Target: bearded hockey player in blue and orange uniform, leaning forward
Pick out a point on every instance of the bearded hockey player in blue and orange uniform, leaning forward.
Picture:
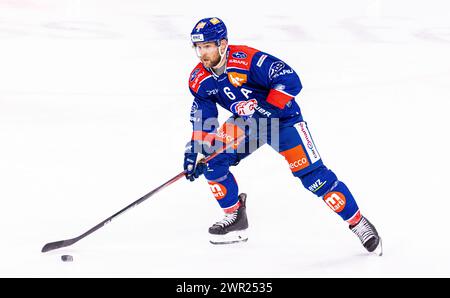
(259, 90)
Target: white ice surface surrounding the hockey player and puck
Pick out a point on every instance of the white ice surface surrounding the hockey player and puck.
(94, 113)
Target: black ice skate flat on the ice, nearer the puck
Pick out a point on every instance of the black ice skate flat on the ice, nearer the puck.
(233, 227)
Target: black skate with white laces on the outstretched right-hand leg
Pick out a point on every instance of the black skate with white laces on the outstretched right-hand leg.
(368, 235)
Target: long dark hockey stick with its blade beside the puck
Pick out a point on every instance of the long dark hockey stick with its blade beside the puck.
(64, 243)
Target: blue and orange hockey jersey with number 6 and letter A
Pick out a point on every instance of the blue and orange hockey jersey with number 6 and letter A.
(254, 84)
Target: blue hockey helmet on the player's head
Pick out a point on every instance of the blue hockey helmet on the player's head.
(209, 29)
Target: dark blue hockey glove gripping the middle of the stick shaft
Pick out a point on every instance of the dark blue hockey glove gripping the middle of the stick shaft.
(193, 167)
